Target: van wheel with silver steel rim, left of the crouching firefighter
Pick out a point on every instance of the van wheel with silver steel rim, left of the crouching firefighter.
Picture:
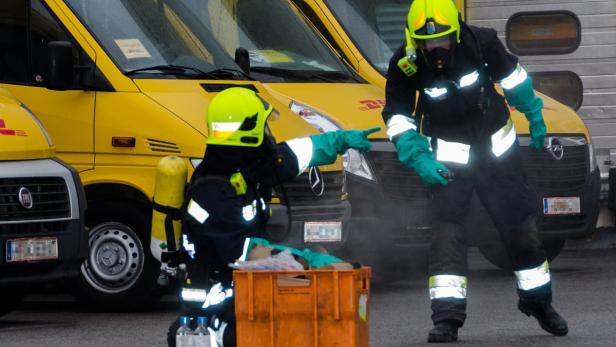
(119, 272)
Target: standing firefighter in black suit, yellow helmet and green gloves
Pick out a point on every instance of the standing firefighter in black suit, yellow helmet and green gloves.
(467, 127)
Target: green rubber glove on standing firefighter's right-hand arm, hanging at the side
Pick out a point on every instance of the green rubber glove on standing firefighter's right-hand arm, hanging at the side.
(523, 98)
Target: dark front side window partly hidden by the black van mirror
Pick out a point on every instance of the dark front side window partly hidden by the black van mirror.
(43, 29)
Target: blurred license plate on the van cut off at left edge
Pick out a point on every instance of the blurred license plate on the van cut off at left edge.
(35, 249)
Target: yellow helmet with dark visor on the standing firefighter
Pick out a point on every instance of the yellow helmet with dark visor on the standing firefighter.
(430, 19)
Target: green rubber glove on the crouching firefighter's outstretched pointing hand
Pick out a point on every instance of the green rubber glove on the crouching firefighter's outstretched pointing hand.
(327, 146)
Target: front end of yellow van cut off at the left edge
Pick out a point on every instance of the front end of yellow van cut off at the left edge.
(42, 237)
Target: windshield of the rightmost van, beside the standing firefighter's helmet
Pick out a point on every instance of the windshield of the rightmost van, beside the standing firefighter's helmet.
(376, 26)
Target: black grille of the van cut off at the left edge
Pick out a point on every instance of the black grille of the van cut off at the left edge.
(50, 198)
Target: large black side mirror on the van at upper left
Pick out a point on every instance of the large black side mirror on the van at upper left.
(60, 70)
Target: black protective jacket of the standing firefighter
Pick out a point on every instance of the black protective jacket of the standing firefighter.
(468, 114)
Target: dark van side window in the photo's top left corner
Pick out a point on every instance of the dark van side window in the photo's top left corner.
(13, 41)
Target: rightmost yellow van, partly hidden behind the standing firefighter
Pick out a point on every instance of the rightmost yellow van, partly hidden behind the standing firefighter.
(365, 33)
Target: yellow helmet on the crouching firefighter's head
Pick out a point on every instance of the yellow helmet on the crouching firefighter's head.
(236, 117)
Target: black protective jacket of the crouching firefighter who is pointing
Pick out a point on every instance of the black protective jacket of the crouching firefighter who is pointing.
(230, 217)
